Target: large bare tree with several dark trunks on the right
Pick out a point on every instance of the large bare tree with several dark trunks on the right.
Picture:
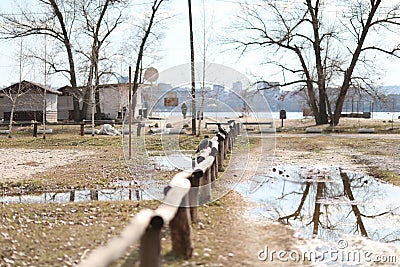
(316, 48)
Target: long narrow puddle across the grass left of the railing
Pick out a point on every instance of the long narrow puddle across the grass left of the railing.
(78, 196)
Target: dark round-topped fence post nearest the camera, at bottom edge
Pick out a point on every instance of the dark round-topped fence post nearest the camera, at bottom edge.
(150, 244)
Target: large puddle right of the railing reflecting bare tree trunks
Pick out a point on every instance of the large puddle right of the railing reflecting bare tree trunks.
(327, 202)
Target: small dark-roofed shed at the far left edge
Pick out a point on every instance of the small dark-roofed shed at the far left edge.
(28, 97)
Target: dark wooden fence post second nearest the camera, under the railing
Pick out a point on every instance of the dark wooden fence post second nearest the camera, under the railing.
(181, 232)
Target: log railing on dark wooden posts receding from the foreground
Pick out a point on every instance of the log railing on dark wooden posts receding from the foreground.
(185, 192)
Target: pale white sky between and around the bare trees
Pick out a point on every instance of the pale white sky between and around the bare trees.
(175, 48)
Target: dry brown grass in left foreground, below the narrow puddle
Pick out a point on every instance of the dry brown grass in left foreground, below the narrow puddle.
(60, 234)
